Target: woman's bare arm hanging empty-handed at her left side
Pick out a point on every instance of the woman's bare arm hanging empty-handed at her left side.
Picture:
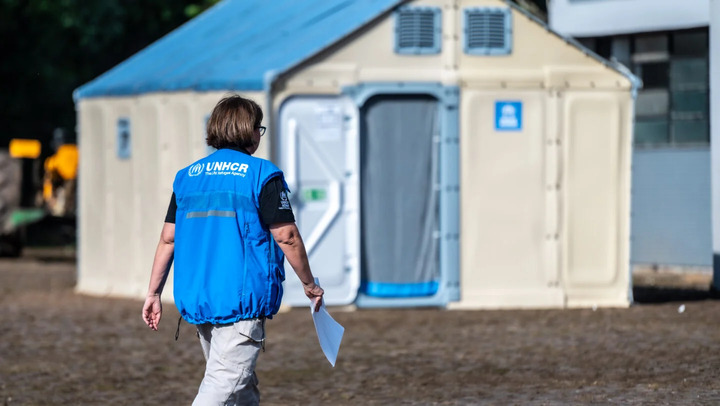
(164, 254)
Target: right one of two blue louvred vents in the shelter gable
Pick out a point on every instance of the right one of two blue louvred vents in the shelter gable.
(488, 31)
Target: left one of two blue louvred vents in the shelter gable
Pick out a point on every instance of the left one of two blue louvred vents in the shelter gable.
(418, 30)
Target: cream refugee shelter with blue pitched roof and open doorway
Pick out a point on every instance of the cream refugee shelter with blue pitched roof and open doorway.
(439, 152)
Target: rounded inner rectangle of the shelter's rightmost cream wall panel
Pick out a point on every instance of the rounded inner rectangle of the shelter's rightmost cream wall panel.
(592, 175)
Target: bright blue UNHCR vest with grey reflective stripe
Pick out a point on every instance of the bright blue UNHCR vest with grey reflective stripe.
(227, 264)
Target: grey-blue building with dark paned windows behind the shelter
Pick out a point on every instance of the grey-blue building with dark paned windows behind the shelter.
(666, 44)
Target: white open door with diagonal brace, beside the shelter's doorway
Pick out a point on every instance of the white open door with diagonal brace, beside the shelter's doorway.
(319, 154)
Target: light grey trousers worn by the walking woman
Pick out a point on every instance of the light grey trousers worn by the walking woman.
(231, 352)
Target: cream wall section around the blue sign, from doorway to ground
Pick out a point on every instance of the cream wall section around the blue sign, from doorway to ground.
(504, 257)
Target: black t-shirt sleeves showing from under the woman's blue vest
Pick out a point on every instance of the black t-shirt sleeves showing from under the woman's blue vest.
(274, 204)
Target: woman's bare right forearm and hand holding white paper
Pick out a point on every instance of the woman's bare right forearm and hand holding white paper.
(288, 238)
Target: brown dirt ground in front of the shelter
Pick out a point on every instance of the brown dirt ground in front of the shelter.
(60, 348)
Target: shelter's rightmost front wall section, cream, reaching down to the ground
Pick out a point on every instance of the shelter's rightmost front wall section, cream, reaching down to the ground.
(597, 143)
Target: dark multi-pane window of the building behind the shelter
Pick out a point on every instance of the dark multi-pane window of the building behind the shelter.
(672, 108)
